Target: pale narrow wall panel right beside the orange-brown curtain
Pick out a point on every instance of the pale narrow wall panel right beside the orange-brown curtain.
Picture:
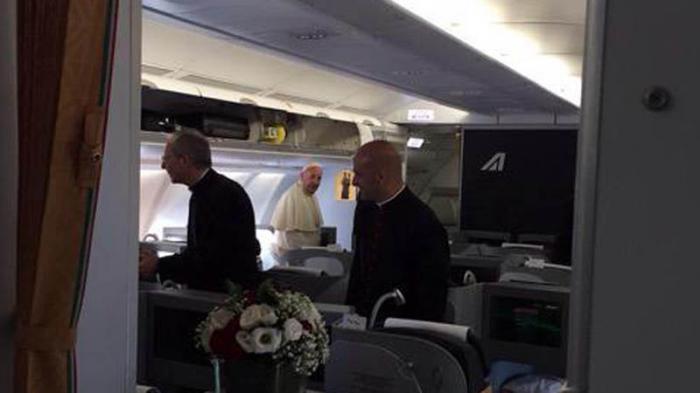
(106, 349)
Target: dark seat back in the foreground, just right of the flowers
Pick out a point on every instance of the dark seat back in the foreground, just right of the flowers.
(414, 359)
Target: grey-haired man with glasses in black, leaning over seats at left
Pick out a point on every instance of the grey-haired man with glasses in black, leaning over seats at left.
(221, 241)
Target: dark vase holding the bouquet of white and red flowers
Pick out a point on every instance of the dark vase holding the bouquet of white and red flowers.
(261, 376)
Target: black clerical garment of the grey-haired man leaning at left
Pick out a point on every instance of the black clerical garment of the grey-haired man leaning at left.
(221, 241)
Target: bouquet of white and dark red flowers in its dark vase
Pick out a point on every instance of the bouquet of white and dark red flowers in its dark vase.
(270, 339)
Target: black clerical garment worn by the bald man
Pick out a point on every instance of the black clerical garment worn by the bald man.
(400, 245)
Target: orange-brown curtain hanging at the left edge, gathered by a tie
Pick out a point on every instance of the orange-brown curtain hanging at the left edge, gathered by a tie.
(64, 67)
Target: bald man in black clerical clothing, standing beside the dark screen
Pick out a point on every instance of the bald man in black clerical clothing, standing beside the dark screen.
(398, 241)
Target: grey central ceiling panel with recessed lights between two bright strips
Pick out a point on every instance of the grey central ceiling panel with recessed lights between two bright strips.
(382, 43)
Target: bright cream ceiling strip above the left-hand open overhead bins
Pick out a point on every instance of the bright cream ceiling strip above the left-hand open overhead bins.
(243, 69)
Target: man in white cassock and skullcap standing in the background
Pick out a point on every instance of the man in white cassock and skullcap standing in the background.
(297, 218)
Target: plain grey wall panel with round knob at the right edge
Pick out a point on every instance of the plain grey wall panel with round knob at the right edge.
(637, 232)
